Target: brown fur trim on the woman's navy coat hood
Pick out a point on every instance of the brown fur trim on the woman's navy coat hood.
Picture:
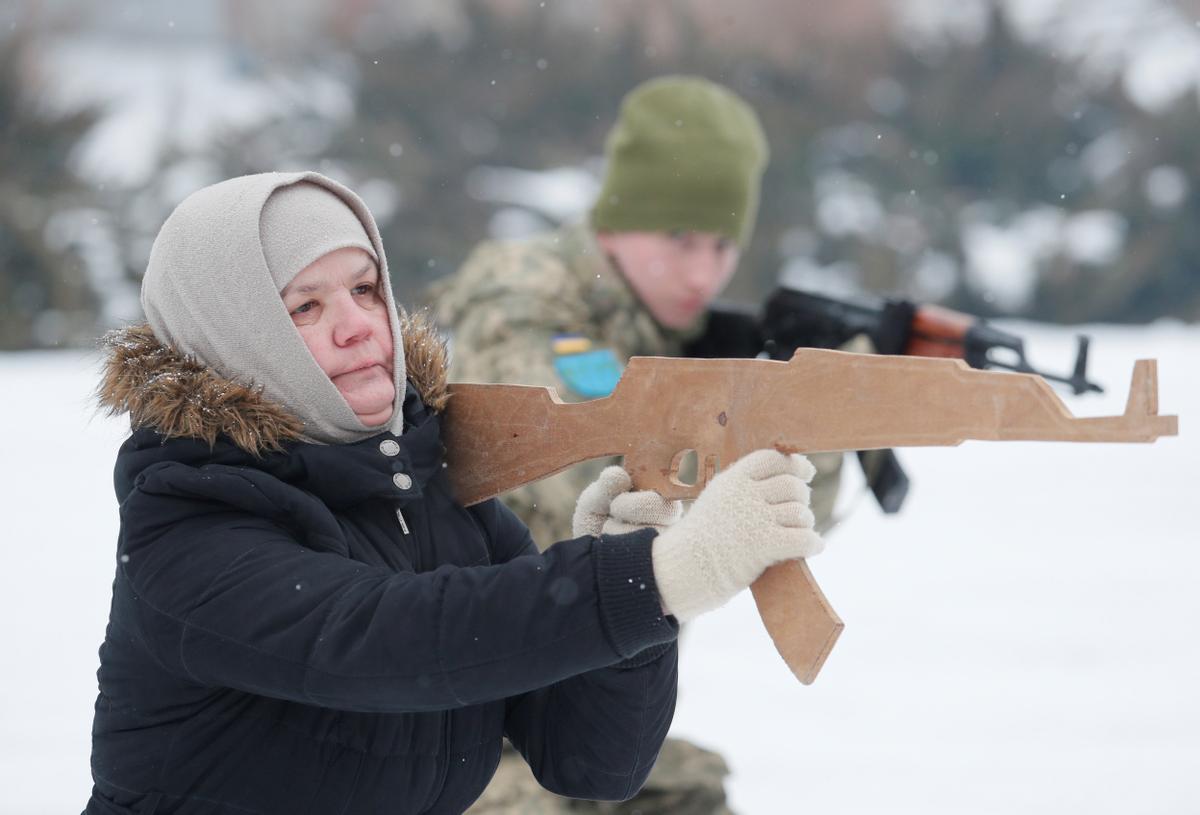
(178, 397)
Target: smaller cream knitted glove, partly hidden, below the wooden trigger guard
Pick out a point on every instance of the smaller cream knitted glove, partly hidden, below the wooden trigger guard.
(609, 507)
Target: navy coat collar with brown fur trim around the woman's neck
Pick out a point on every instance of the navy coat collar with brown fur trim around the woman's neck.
(185, 412)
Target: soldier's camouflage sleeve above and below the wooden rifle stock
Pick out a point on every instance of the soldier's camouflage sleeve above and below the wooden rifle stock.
(505, 310)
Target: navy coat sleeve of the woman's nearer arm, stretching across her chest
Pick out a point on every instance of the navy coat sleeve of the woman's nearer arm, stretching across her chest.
(229, 600)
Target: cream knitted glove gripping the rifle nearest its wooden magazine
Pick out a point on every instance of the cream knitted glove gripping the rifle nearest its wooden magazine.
(751, 517)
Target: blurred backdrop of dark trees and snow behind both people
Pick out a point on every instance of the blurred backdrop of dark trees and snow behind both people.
(1011, 158)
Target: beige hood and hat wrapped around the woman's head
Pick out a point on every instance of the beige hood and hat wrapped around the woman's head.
(213, 285)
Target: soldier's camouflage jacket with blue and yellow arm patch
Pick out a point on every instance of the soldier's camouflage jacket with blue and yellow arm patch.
(554, 311)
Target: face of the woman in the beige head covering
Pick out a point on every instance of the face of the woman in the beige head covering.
(339, 308)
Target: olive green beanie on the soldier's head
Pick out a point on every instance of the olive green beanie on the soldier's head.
(685, 154)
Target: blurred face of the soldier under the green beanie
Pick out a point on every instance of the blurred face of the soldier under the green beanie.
(679, 274)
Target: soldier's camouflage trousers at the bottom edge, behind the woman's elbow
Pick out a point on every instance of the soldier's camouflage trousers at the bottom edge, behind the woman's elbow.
(686, 781)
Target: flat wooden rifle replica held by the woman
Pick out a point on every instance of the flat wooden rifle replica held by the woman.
(501, 438)
